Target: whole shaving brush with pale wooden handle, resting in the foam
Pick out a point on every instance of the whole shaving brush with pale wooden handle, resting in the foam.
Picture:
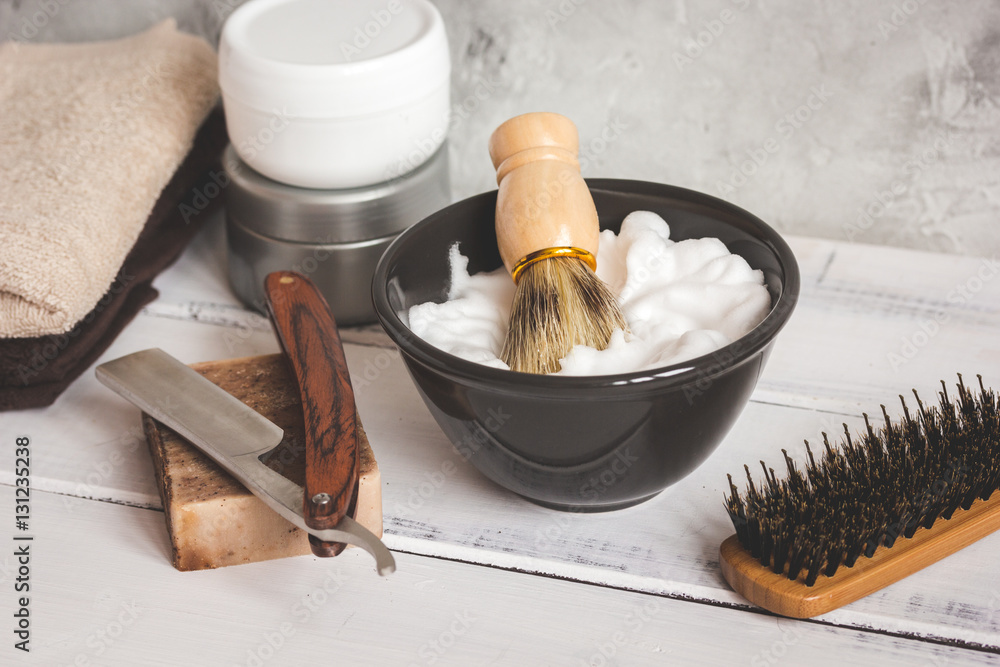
(547, 232)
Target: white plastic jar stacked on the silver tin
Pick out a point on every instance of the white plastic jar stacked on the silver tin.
(335, 93)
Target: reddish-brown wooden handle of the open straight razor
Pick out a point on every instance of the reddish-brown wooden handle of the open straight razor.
(308, 334)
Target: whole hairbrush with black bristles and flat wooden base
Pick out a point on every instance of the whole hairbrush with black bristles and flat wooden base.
(870, 512)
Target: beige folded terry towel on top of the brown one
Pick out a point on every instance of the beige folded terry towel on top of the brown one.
(89, 136)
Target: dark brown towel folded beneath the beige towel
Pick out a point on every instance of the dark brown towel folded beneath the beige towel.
(34, 371)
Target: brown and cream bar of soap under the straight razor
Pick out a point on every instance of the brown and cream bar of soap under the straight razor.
(212, 520)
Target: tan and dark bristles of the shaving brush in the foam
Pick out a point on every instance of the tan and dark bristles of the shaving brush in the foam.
(558, 303)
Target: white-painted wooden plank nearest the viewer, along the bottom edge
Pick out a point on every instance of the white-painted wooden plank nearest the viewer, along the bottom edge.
(114, 600)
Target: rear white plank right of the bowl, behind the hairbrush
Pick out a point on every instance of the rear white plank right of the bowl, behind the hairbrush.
(874, 322)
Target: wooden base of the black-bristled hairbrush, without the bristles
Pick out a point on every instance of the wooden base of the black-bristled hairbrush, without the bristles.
(779, 594)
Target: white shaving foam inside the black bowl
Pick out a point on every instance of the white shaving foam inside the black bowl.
(682, 299)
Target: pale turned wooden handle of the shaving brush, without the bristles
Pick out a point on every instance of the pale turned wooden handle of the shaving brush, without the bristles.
(543, 201)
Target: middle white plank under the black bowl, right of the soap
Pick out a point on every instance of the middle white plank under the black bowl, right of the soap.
(668, 545)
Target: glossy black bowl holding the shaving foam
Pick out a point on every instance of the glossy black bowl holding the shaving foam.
(583, 443)
